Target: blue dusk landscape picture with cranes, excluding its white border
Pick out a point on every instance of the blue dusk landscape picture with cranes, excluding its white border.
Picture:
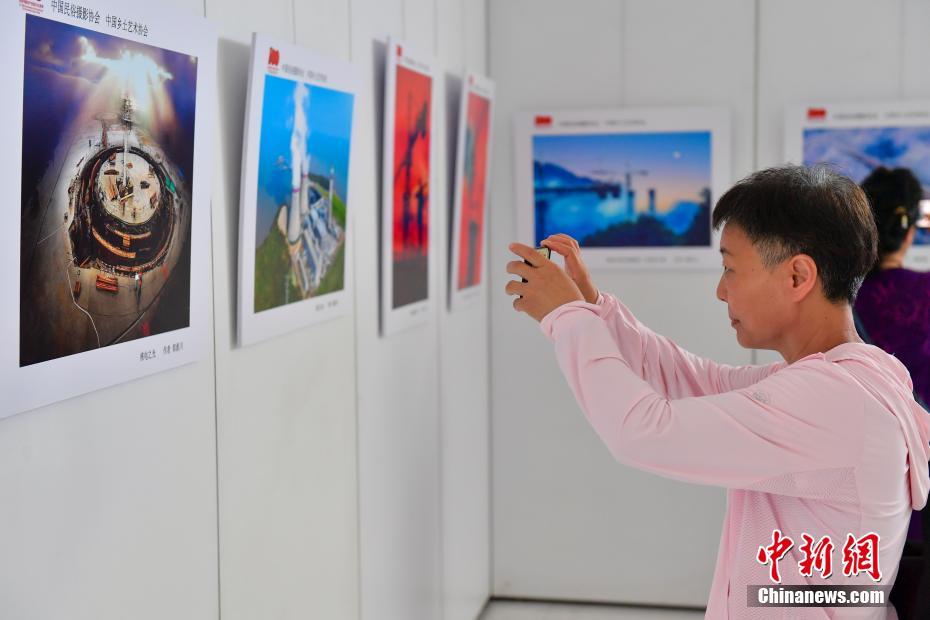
(620, 190)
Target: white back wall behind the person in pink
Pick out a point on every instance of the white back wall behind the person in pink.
(568, 522)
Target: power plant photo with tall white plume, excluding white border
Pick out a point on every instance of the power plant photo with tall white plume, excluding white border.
(301, 203)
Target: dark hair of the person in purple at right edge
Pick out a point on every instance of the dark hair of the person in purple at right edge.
(895, 198)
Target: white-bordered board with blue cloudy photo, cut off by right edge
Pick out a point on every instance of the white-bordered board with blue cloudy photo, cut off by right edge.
(855, 139)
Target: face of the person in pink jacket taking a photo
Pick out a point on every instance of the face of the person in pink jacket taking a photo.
(755, 296)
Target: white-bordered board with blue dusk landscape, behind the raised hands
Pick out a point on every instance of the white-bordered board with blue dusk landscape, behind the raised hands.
(634, 186)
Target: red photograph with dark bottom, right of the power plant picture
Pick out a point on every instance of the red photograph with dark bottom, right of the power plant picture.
(411, 187)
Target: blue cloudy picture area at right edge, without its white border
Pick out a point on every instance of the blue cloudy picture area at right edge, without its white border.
(856, 151)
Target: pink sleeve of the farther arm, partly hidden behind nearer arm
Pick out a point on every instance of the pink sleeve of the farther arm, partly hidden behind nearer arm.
(671, 370)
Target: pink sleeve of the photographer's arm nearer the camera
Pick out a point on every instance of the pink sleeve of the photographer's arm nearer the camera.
(803, 418)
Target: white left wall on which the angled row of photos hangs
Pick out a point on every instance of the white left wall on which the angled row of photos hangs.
(329, 473)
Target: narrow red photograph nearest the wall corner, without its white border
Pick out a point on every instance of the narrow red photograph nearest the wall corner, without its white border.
(475, 170)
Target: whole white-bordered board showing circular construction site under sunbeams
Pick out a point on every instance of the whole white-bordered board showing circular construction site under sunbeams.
(108, 130)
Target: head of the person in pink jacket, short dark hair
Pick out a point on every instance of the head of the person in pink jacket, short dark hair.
(797, 243)
